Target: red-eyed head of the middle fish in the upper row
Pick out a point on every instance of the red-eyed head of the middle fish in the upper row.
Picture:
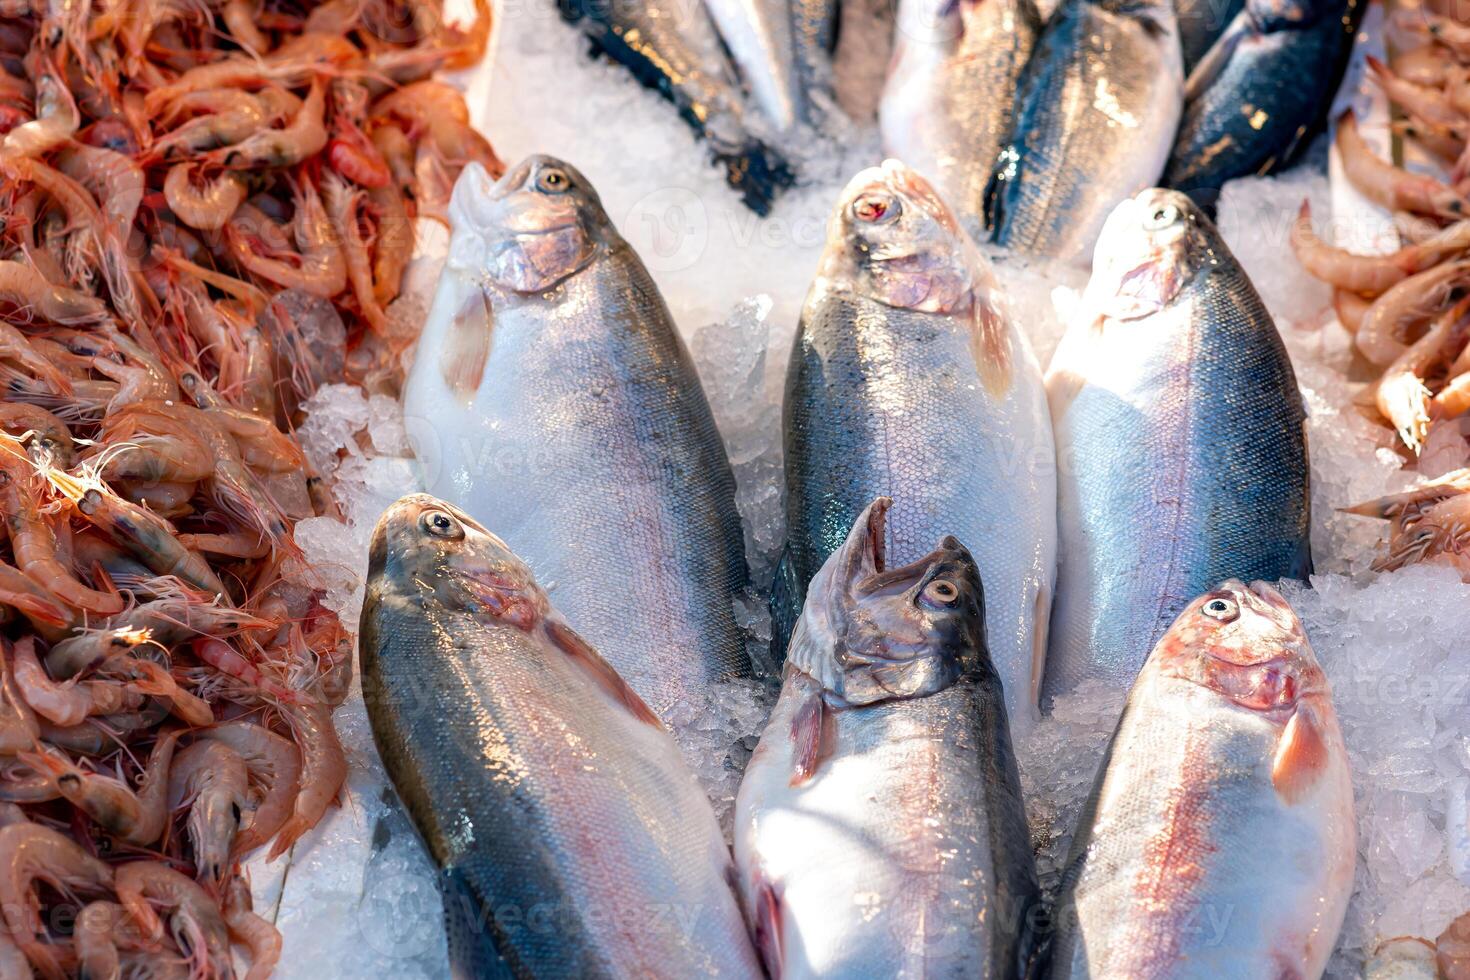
(896, 242)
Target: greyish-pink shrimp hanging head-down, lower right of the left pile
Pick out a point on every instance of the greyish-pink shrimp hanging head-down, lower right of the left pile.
(211, 779)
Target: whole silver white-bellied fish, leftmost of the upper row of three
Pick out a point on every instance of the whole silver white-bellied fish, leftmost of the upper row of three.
(567, 411)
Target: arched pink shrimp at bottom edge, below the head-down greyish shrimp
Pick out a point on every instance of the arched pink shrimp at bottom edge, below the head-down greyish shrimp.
(195, 920)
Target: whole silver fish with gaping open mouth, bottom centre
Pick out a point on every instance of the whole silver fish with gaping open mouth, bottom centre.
(880, 828)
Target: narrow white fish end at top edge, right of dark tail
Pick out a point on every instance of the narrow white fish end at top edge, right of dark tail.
(758, 35)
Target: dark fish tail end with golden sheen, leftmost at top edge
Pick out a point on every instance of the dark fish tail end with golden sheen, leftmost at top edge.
(673, 48)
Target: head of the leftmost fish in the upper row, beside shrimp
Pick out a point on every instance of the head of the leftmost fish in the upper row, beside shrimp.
(539, 226)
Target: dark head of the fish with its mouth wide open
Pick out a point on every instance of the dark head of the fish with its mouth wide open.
(872, 634)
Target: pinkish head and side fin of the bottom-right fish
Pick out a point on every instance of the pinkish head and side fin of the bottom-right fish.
(1247, 646)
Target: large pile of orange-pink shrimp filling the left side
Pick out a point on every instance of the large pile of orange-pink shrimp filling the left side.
(207, 211)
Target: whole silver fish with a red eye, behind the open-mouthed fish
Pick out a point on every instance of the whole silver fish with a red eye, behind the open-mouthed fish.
(909, 378)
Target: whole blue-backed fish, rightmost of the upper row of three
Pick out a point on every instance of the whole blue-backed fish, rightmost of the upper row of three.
(1183, 458)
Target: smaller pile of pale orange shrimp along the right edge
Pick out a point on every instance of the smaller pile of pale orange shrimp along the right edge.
(1409, 311)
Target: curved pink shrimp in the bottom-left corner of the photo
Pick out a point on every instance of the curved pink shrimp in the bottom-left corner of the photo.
(32, 854)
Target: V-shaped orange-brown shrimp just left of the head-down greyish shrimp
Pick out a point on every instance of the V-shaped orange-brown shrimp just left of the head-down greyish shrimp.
(133, 818)
